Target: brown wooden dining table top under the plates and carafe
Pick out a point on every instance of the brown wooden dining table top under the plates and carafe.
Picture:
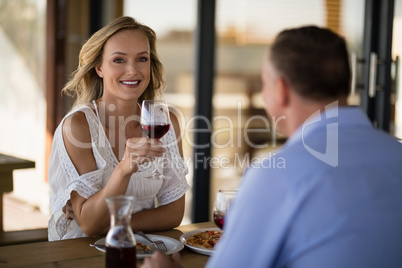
(77, 252)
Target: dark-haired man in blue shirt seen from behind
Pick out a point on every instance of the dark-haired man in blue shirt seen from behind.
(337, 201)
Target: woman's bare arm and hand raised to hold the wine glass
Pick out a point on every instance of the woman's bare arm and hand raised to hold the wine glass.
(92, 213)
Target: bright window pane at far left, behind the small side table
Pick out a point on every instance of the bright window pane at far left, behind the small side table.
(22, 99)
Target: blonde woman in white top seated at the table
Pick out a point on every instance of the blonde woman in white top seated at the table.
(93, 146)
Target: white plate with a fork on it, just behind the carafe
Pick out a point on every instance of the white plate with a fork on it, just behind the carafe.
(172, 244)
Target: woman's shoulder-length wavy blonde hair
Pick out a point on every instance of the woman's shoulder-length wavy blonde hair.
(85, 83)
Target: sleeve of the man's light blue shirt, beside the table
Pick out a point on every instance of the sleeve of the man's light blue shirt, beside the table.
(256, 224)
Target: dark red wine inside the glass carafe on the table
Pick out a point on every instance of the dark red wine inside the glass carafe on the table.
(120, 257)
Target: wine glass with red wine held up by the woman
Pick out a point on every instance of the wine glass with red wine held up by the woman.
(155, 122)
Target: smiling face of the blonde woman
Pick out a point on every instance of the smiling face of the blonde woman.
(126, 66)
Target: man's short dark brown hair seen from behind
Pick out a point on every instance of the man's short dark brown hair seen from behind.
(313, 60)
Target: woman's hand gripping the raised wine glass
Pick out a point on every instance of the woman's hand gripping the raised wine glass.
(139, 151)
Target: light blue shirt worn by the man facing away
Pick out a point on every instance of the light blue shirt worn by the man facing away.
(330, 197)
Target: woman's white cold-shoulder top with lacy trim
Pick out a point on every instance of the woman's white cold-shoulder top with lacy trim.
(64, 178)
